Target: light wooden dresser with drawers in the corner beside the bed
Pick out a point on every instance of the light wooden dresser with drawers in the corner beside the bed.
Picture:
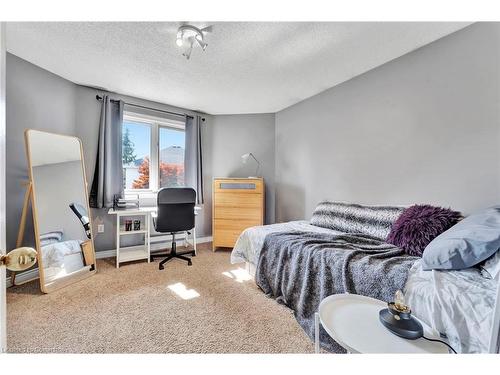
(237, 204)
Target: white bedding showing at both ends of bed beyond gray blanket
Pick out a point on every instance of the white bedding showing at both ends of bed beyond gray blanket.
(458, 304)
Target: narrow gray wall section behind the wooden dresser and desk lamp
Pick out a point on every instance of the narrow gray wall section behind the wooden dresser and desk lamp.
(227, 137)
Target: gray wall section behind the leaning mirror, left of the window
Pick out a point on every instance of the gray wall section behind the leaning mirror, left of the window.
(36, 99)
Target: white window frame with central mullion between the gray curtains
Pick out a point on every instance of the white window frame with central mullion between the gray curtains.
(155, 123)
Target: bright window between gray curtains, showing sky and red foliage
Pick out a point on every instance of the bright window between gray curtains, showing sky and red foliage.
(152, 153)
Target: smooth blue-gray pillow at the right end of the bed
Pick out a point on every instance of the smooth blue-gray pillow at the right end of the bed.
(466, 244)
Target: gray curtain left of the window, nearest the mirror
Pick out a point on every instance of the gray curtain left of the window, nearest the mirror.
(108, 173)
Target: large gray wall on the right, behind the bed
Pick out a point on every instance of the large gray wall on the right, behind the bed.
(421, 128)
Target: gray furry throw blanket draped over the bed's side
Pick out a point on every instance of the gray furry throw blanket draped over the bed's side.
(299, 269)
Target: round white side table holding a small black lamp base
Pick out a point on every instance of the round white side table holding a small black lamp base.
(353, 322)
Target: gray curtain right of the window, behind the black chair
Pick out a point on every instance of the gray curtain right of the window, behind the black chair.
(193, 165)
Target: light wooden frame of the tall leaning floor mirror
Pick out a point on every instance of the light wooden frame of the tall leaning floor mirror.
(88, 250)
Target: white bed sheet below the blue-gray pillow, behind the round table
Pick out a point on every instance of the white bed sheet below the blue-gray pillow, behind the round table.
(459, 304)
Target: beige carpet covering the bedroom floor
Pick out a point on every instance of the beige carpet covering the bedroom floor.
(133, 310)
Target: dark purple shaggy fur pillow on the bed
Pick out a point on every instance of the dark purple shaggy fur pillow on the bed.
(418, 225)
